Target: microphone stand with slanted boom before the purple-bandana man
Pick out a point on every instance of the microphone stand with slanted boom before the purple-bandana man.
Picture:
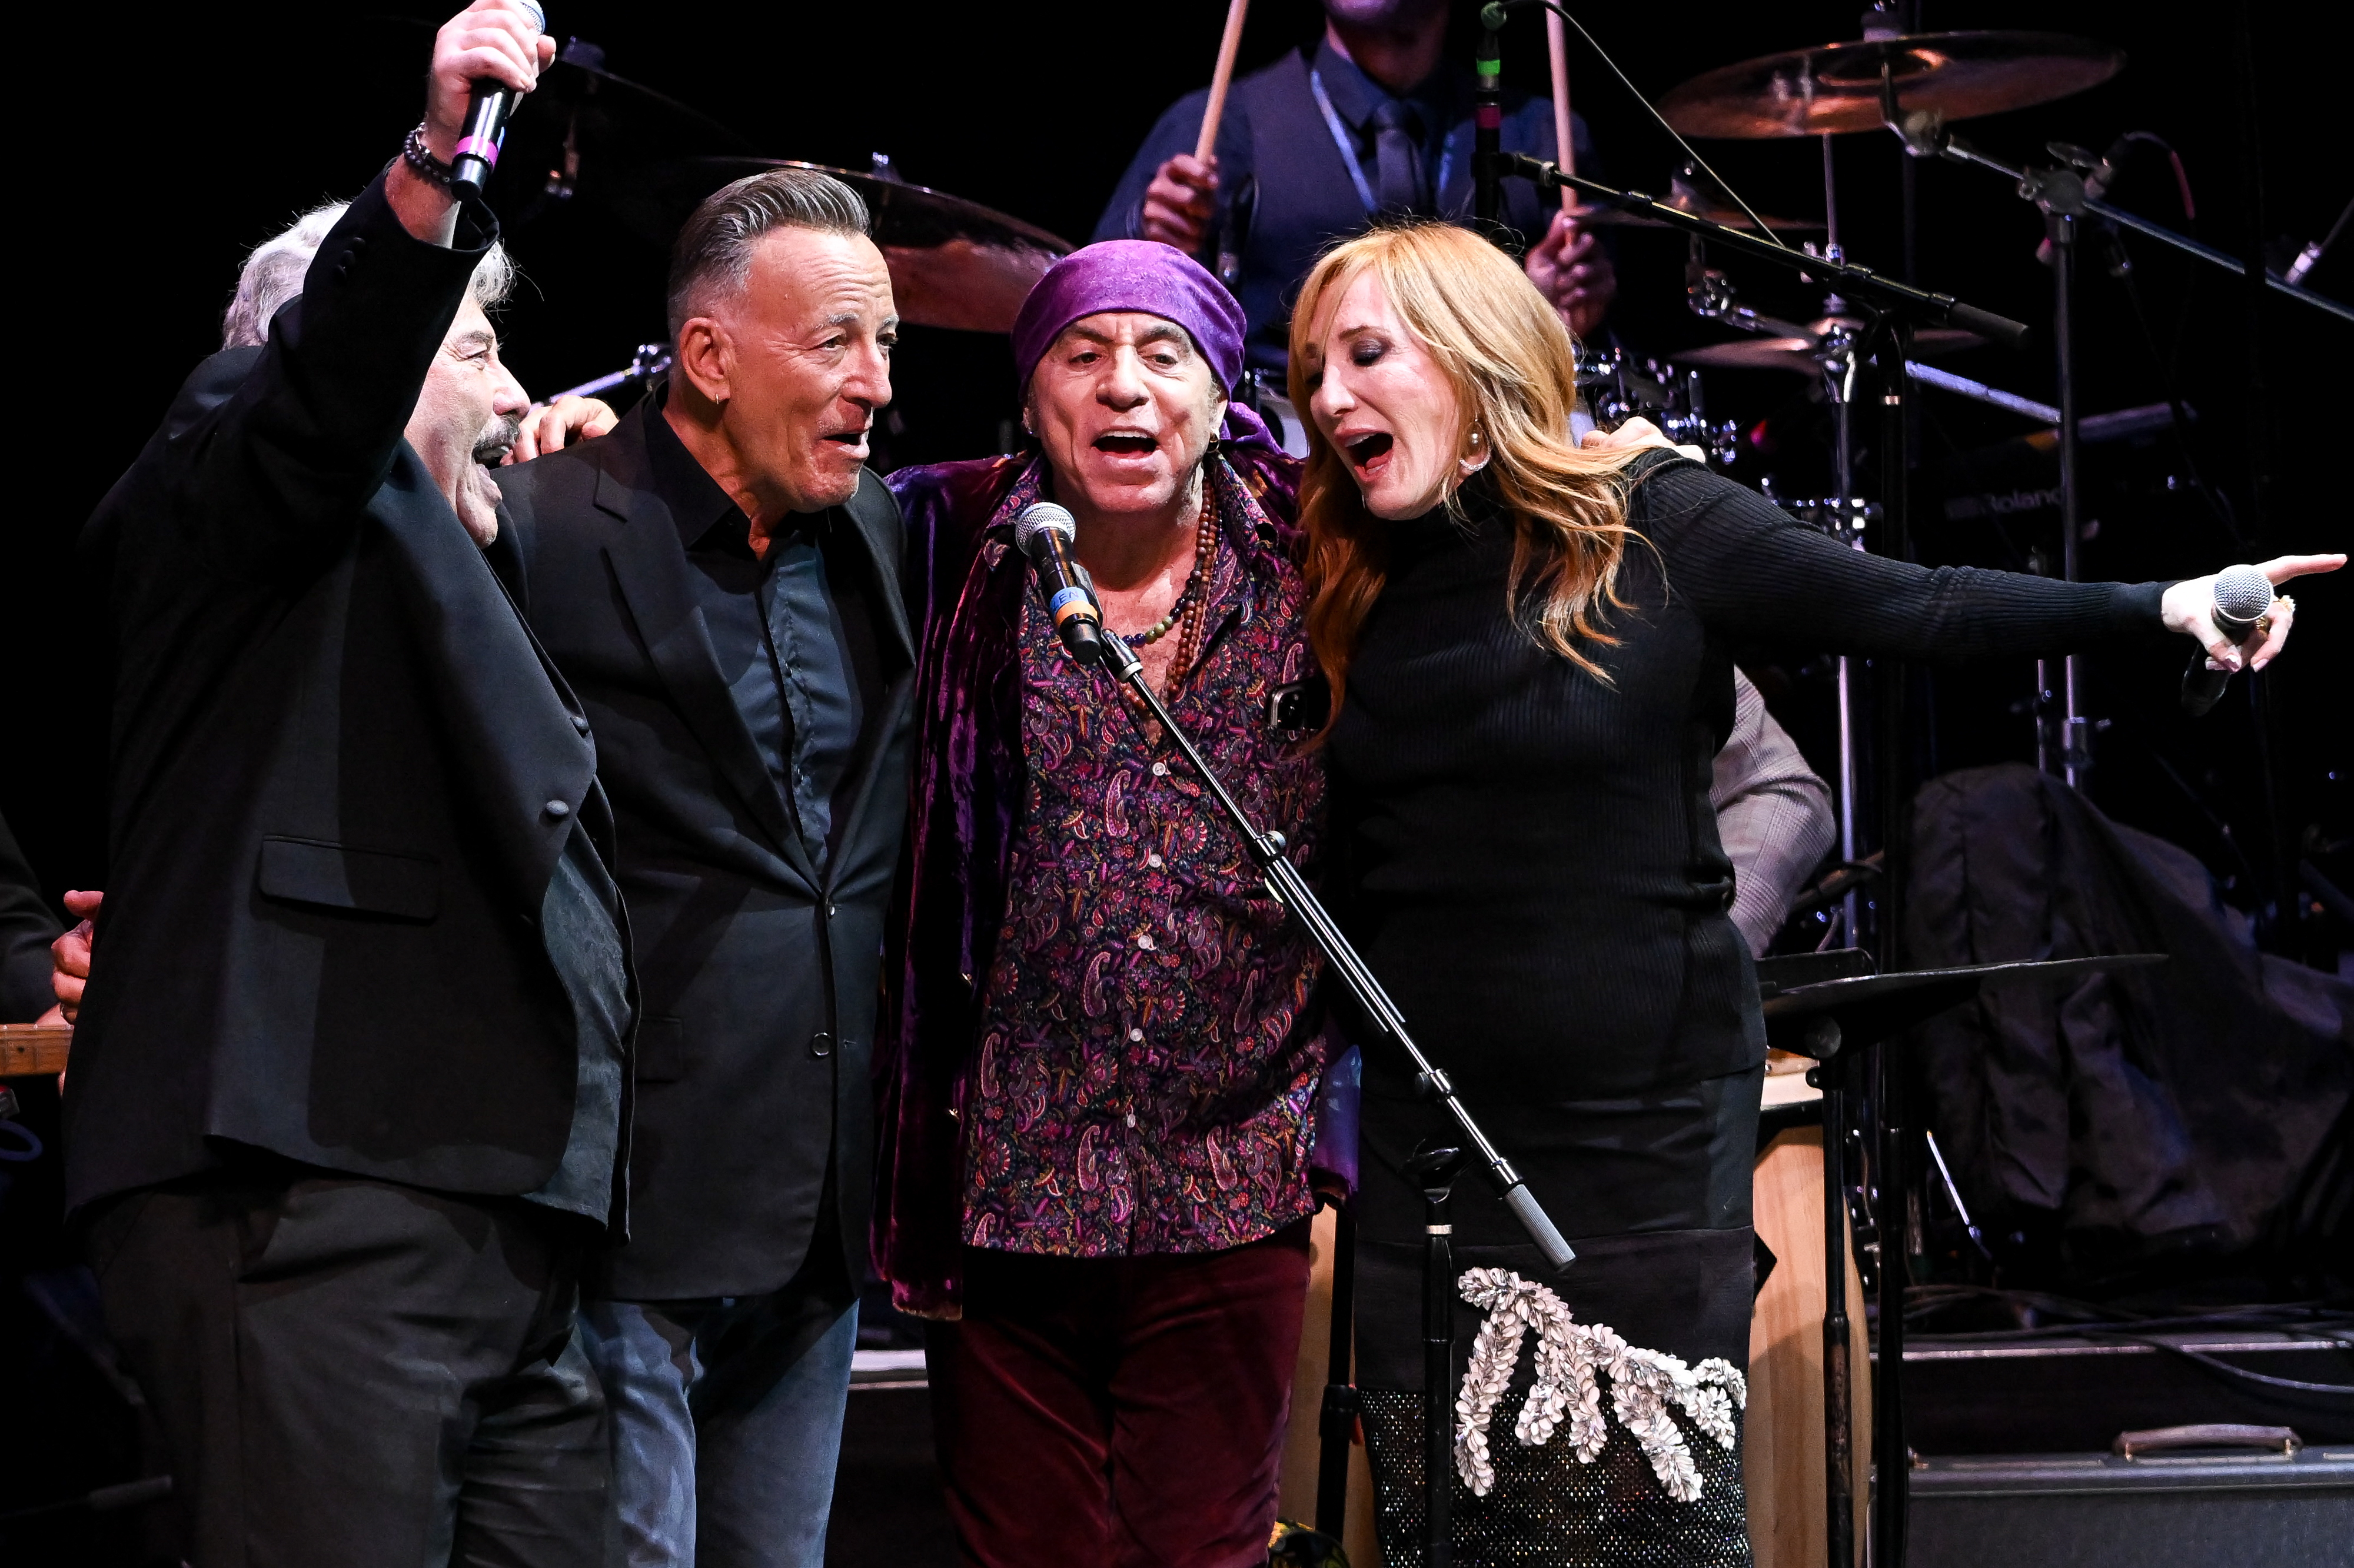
(1435, 1174)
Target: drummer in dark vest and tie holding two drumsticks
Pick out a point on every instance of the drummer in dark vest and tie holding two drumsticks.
(1326, 140)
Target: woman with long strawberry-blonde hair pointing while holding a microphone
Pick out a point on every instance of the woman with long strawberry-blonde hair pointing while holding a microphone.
(1529, 656)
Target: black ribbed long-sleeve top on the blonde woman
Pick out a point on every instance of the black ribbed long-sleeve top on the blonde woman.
(1531, 863)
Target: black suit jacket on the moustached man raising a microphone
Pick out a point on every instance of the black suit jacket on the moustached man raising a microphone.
(343, 776)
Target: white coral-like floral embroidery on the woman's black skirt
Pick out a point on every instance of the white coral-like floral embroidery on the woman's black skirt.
(1571, 1355)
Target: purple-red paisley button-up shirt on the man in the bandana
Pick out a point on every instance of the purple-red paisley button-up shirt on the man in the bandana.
(1145, 1077)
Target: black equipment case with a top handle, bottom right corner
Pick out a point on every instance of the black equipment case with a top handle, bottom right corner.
(2167, 1510)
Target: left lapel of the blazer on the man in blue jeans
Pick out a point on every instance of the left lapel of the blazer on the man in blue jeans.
(653, 576)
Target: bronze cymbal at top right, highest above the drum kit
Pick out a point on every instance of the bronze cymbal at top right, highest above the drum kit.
(1837, 88)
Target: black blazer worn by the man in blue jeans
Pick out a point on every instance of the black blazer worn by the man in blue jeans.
(757, 974)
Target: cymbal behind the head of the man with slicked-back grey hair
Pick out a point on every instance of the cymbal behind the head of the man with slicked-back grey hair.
(952, 263)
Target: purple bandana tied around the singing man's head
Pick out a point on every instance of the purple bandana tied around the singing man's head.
(1141, 277)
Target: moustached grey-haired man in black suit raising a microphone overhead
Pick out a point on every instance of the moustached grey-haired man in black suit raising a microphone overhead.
(347, 1096)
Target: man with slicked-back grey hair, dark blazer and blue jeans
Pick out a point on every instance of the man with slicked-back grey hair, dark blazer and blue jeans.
(719, 583)
